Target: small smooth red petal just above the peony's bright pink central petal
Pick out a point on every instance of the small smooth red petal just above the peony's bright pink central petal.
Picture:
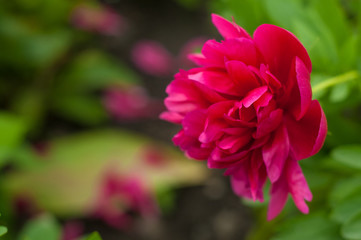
(242, 76)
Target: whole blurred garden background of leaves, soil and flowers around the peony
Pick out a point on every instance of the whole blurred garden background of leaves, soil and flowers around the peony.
(82, 149)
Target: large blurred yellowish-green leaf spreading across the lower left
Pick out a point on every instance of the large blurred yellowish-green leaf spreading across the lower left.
(75, 166)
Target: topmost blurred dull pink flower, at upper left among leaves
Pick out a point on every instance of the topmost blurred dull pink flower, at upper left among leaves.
(96, 18)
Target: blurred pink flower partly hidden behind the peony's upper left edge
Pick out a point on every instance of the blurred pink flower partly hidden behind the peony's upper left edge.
(192, 46)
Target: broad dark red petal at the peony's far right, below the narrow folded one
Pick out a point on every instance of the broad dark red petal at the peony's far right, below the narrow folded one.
(308, 134)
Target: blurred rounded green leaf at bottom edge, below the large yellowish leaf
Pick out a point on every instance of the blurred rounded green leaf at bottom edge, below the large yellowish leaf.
(41, 228)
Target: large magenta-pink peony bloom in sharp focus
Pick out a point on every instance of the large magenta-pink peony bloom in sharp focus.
(248, 108)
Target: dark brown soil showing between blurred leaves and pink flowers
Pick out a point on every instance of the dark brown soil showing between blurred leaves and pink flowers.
(208, 212)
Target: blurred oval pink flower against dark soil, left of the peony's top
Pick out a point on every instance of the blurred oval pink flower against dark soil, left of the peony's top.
(152, 58)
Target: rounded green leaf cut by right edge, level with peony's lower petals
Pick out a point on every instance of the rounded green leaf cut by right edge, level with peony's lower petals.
(349, 155)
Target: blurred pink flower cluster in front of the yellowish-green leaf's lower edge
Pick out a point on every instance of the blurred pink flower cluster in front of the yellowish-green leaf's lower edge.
(121, 194)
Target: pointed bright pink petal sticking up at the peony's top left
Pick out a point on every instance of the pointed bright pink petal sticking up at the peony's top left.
(228, 29)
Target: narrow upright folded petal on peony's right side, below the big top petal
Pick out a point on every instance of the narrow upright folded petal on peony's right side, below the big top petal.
(301, 94)
